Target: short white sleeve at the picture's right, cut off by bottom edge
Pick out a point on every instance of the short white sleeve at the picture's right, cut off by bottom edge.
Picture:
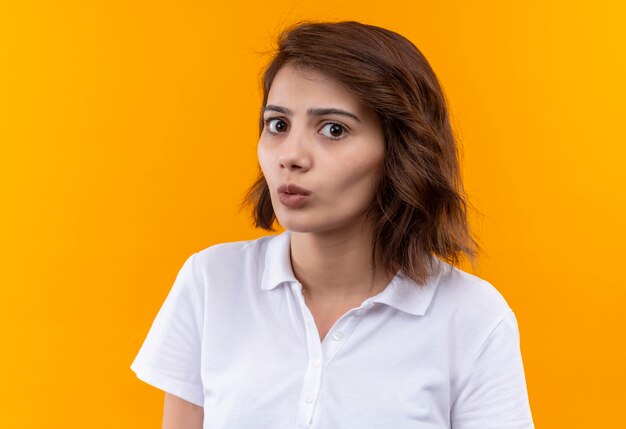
(492, 392)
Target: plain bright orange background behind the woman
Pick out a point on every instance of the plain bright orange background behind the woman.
(128, 136)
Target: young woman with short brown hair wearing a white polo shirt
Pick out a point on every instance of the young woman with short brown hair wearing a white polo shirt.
(356, 315)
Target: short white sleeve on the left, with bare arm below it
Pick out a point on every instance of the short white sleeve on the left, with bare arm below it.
(169, 358)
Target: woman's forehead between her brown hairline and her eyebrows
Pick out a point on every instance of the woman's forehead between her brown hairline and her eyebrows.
(297, 86)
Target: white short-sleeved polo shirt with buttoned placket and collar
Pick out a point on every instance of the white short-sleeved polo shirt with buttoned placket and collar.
(235, 336)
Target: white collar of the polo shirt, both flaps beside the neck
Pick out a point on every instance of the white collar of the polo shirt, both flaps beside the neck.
(401, 293)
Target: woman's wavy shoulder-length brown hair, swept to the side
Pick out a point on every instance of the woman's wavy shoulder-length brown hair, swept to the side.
(420, 208)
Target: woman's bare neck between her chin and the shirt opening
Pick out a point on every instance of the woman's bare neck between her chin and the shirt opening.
(337, 264)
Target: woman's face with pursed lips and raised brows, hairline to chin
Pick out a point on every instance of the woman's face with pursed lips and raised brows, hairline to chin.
(320, 137)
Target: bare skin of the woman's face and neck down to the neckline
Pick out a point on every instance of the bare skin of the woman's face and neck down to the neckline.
(339, 158)
